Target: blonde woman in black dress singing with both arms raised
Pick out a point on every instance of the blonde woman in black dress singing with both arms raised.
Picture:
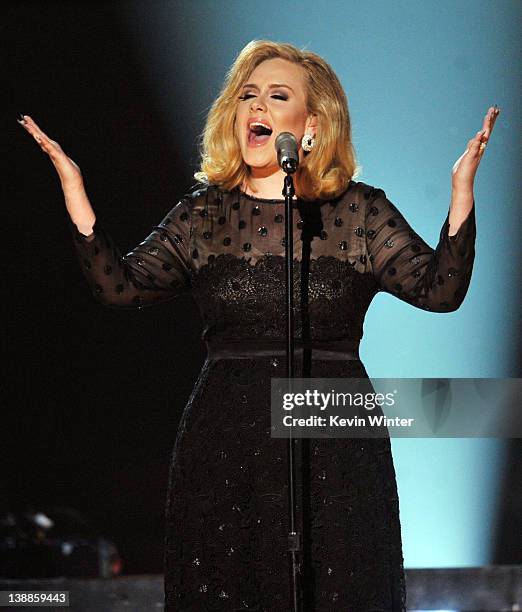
(227, 506)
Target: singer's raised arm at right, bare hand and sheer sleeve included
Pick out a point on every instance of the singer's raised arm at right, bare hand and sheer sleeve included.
(404, 265)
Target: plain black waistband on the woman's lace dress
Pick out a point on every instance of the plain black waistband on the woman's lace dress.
(332, 350)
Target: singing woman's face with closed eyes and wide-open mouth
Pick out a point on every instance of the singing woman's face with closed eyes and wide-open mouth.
(272, 101)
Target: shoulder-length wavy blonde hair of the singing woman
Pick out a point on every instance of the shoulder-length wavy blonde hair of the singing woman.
(326, 170)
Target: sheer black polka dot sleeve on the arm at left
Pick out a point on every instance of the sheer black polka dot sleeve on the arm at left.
(156, 270)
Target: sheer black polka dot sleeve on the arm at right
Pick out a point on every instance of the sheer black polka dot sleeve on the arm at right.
(405, 266)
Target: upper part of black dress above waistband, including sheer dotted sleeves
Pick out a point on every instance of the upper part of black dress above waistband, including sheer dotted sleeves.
(228, 248)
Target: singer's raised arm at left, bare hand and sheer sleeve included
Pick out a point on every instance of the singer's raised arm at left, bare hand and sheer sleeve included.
(154, 271)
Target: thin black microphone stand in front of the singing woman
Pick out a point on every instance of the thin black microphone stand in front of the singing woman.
(294, 537)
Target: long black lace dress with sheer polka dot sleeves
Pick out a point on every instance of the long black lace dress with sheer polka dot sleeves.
(226, 512)
